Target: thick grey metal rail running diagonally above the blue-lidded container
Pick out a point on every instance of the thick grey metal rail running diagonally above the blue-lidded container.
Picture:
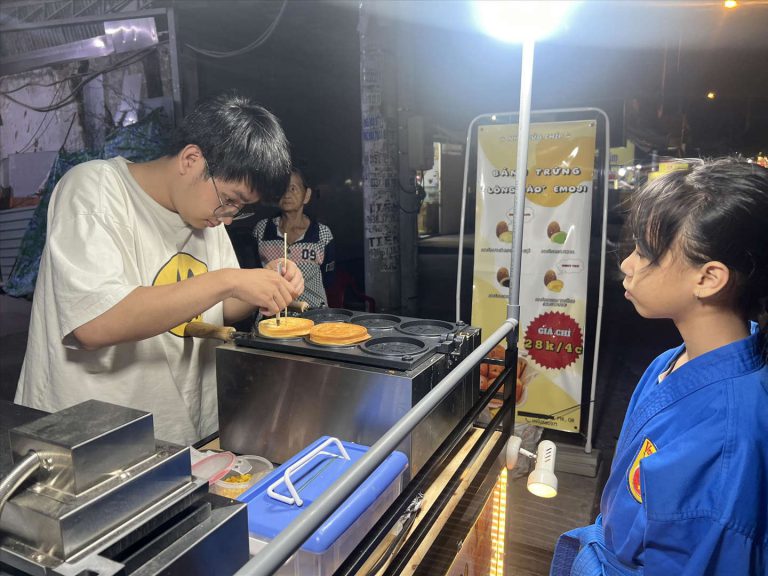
(296, 533)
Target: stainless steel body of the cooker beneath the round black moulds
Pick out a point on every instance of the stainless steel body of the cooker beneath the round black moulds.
(274, 404)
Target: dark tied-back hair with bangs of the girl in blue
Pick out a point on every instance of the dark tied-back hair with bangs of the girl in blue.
(718, 210)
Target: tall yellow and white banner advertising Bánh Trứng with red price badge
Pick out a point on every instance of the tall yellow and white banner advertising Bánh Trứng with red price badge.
(553, 281)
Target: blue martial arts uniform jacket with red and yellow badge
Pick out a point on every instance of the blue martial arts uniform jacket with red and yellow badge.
(688, 489)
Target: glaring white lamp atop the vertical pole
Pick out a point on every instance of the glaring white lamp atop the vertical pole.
(521, 20)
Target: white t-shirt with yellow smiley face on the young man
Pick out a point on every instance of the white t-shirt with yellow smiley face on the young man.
(106, 237)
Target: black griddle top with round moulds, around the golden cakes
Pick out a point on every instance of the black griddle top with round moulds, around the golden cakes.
(387, 348)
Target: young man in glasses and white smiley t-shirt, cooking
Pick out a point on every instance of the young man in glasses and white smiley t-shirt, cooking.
(136, 251)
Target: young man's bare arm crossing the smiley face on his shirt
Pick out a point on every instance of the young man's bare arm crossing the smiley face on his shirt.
(151, 310)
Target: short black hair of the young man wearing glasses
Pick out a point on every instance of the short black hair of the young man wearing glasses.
(241, 142)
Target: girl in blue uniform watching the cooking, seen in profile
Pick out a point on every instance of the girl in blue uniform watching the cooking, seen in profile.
(688, 489)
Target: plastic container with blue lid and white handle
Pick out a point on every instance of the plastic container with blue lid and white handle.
(329, 546)
